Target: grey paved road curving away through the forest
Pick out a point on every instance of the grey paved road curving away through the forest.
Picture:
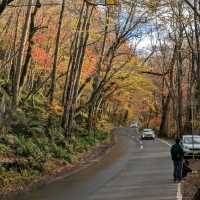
(127, 172)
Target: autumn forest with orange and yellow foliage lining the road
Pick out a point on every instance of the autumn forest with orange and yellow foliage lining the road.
(71, 71)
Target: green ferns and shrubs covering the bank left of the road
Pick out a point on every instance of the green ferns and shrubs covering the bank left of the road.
(28, 152)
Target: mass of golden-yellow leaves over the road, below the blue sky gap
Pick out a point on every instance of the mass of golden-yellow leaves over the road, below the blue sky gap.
(135, 91)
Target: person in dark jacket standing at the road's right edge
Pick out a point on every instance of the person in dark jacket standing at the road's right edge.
(177, 155)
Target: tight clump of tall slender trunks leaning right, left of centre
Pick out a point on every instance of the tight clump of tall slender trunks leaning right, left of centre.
(75, 68)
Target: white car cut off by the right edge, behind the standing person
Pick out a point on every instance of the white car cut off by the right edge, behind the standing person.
(191, 145)
